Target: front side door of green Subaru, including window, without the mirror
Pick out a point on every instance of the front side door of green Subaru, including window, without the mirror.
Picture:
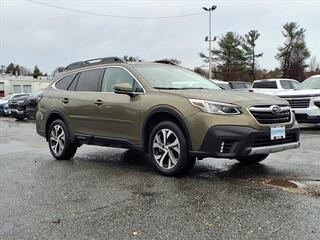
(119, 113)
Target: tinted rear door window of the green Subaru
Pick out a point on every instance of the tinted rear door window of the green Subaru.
(89, 80)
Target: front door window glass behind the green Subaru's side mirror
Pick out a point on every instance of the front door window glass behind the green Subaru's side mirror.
(115, 75)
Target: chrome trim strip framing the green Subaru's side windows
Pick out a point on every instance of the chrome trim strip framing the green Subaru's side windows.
(98, 67)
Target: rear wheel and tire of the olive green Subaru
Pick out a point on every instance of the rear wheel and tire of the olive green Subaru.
(59, 142)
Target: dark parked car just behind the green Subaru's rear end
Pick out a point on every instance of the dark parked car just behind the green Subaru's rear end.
(25, 106)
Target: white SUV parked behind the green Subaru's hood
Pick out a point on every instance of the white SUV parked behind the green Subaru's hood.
(274, 86)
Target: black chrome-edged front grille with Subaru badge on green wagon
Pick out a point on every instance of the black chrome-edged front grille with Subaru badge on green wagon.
(266, 115)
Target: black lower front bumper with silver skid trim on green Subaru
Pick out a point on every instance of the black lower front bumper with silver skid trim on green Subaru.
(240, 141)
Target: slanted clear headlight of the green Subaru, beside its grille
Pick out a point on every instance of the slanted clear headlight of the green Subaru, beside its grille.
(215, 107)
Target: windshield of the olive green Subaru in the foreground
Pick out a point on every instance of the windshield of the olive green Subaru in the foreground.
(172, 77)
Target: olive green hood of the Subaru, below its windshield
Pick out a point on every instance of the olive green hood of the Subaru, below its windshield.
(227, 96)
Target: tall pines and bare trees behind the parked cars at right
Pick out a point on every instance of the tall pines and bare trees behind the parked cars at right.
(236, 57)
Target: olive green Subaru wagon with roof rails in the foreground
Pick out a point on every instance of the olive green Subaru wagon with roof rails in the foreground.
(172, 114)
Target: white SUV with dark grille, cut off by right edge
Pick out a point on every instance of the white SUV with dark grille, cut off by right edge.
(306, 102)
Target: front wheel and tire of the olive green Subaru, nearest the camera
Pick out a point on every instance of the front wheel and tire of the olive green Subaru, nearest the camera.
(169, 156)
